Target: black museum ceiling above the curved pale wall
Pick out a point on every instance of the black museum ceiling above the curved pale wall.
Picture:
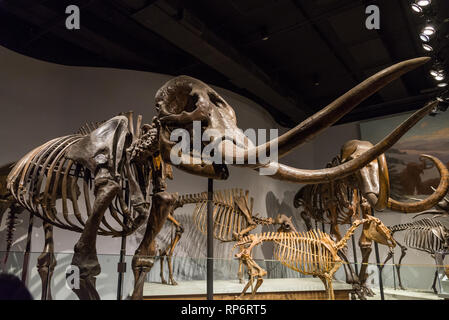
(284, 54)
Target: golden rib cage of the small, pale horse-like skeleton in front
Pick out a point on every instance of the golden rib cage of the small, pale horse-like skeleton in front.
(306, 252)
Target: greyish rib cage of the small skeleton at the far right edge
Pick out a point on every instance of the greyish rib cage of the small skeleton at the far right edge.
(420, 235)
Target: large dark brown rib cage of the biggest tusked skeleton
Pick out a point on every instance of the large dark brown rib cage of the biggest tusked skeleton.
(45, 177)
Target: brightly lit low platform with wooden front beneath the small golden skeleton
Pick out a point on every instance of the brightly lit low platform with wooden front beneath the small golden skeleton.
(271, 289)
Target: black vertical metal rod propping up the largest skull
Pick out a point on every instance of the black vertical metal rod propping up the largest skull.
(210, 240)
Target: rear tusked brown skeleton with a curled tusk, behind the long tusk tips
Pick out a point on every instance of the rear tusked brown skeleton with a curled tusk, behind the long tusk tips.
(338, 202)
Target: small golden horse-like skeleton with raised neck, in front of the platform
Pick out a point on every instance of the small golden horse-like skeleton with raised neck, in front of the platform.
(312, 253)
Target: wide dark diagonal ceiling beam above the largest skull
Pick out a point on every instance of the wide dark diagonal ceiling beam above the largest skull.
(187, 32)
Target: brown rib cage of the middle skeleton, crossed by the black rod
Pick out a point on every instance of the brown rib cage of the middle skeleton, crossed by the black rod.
(227, 216)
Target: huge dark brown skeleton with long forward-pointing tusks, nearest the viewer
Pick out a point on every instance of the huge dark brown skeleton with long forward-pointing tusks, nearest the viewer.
(112, 160)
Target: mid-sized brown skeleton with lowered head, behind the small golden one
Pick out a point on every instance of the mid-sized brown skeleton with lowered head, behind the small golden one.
(232, 219)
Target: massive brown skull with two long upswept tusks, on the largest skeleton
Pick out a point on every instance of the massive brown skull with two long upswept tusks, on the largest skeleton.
(183, 100)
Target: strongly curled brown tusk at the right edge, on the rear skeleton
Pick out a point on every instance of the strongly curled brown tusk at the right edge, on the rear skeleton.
(432, 200)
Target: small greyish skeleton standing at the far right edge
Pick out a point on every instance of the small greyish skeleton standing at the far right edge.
(425, 235)
